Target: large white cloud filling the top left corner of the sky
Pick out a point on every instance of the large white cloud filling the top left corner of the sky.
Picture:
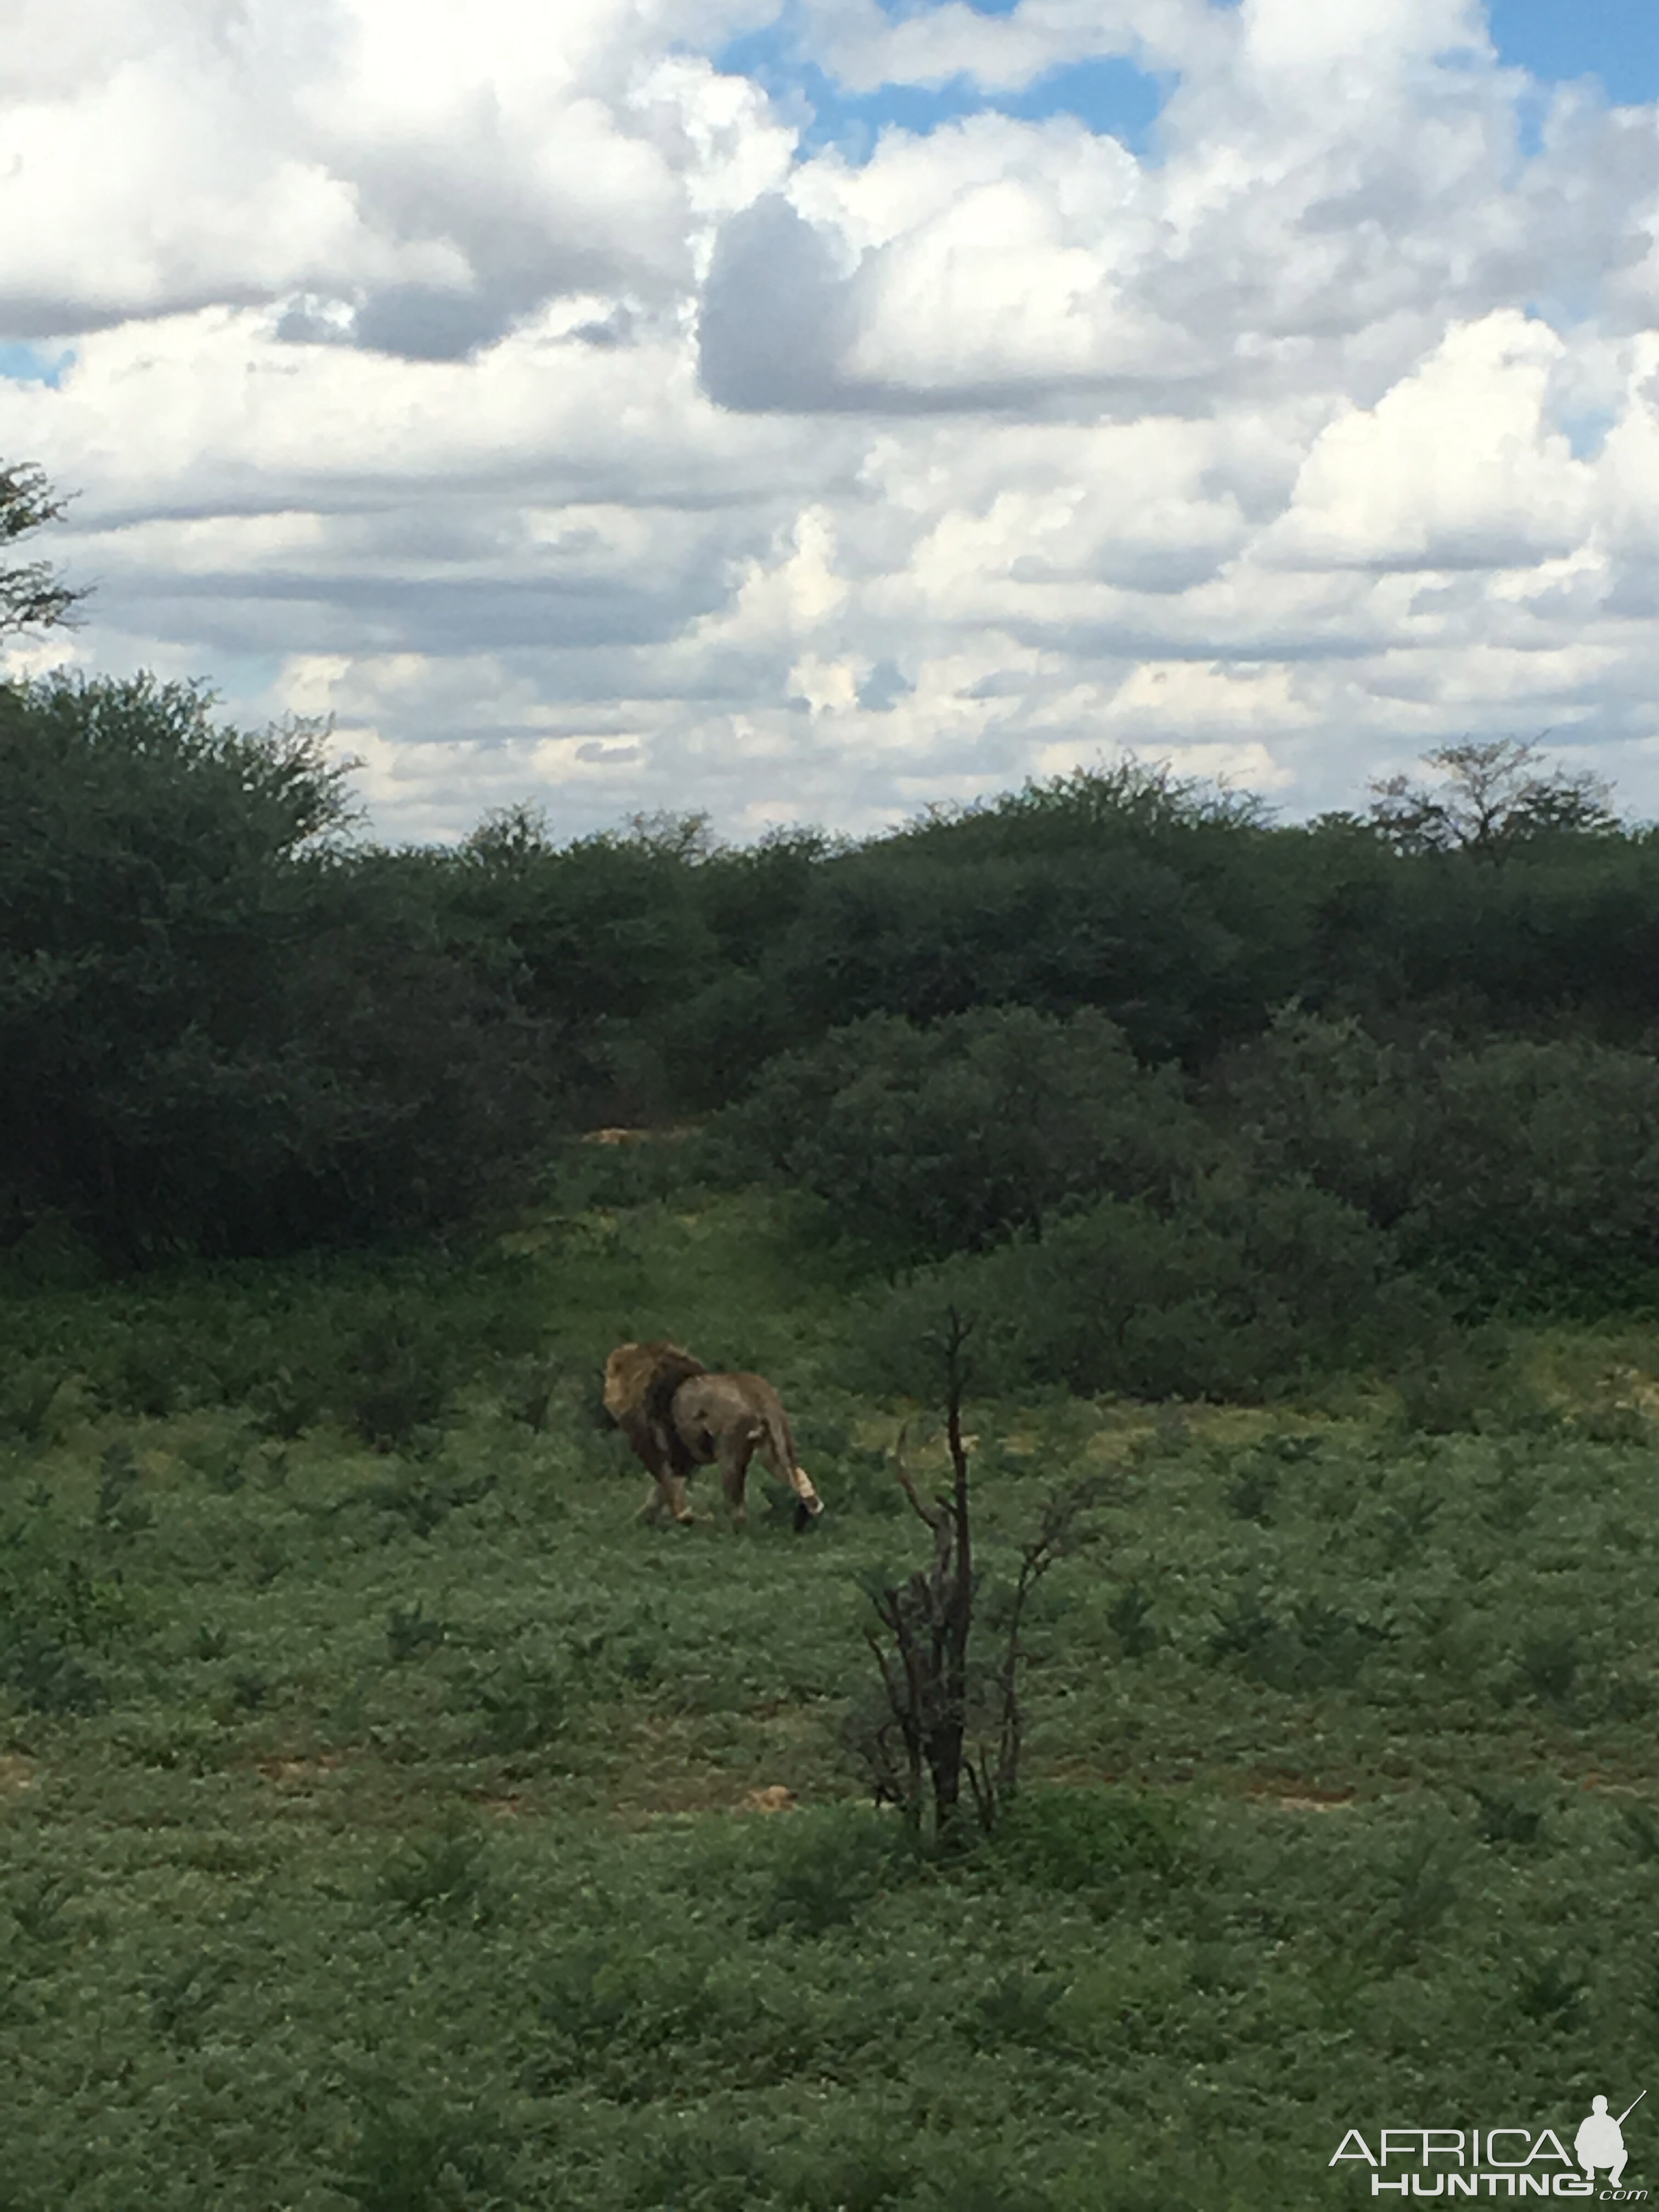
(441, 167)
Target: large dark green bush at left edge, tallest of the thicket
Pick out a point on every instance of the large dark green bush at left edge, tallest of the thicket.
(220, 1030)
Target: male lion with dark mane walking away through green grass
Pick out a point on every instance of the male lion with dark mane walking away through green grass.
(680, 1417)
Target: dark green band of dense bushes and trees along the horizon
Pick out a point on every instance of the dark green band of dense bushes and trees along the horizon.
(233, 1027)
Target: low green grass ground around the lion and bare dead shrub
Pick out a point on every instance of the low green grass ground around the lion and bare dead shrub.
(382, 1806)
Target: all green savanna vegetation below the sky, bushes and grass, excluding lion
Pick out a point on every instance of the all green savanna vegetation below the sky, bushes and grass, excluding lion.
(1260, 1220)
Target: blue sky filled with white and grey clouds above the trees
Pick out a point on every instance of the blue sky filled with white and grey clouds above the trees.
(806, 413)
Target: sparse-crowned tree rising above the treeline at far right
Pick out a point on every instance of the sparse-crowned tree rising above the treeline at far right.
(1492, 802)
